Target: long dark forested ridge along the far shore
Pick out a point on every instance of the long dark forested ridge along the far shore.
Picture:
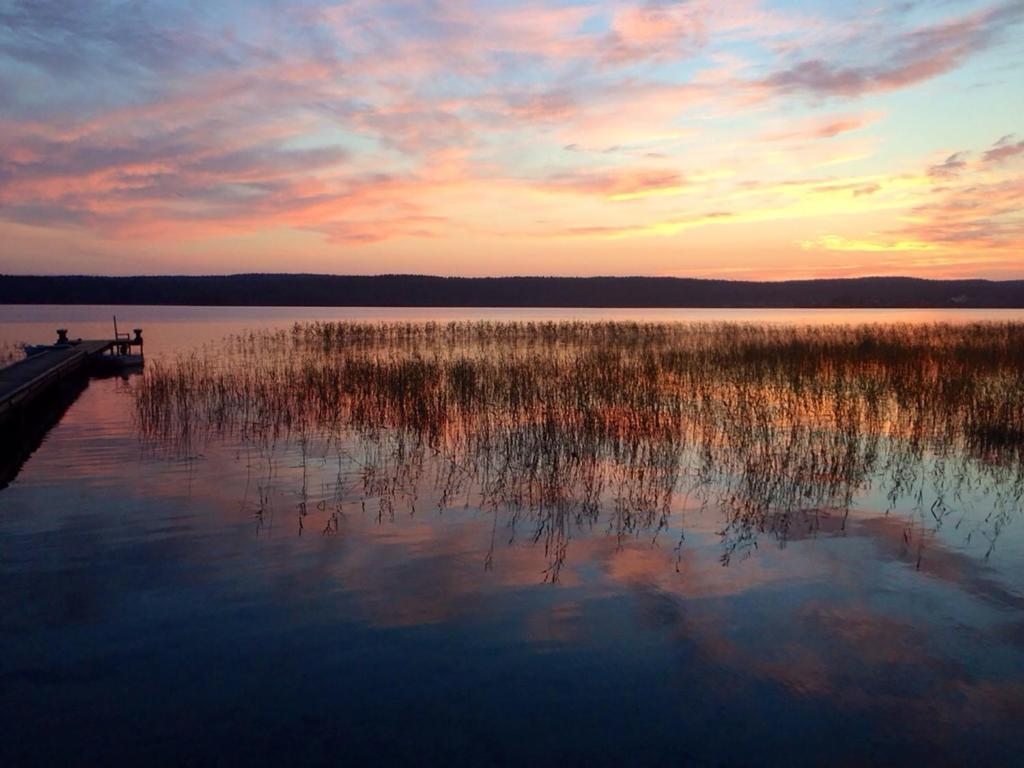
(417, 290)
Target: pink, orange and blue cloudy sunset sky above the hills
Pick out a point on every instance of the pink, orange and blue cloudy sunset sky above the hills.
(738, 140)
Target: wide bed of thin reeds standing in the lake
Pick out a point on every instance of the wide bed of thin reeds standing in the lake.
(566, 421)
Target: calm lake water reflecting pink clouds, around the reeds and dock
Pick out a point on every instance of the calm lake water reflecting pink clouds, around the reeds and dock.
(222, 603)
